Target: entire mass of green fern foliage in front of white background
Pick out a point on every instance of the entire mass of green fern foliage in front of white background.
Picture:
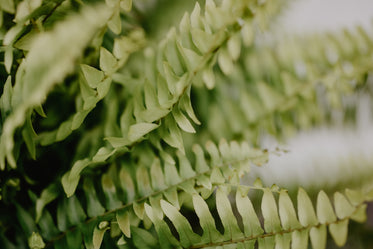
(103, 114)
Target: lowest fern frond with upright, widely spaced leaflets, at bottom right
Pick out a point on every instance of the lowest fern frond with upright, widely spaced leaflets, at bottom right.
(283, 225)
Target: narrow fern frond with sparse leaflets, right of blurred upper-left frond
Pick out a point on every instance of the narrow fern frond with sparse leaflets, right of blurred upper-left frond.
(94, 84)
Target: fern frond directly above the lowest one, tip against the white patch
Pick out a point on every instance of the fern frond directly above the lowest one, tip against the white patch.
(125, 193)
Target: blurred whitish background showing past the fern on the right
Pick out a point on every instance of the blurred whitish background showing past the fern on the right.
(325, 155)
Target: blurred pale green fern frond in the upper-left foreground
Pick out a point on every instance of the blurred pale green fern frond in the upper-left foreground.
(36, 77)
